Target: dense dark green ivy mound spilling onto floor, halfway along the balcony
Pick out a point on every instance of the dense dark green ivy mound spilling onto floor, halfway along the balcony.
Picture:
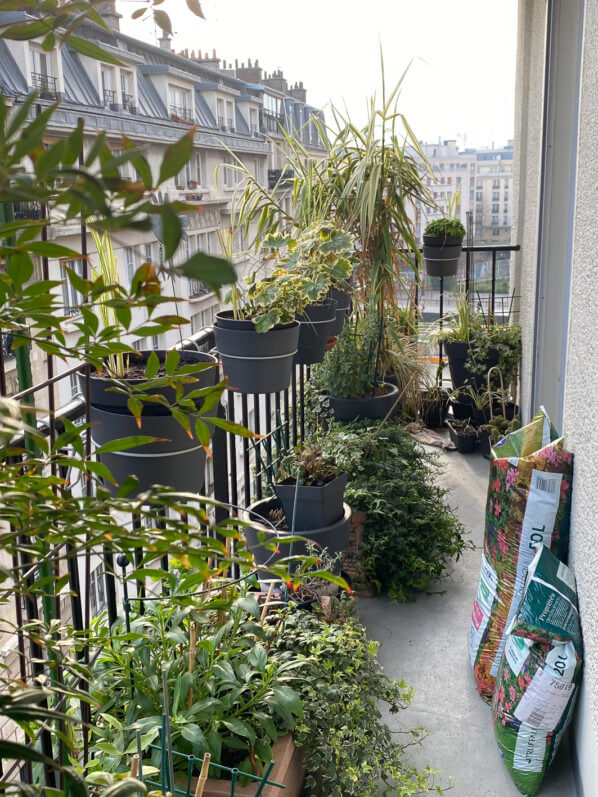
(411, 533)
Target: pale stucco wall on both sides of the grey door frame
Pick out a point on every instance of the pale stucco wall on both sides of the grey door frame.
(581, 364)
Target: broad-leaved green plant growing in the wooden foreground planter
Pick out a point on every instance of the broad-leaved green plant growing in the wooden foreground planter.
(232, 700)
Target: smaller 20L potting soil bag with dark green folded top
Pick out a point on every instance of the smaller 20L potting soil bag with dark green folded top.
(539, 673)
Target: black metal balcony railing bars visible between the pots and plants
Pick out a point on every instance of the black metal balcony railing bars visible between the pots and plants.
(236, 476)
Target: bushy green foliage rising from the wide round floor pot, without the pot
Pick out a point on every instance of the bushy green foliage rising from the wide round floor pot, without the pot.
(349, 368)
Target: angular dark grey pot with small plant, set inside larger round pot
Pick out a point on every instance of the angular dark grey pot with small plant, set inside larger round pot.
(310, 487)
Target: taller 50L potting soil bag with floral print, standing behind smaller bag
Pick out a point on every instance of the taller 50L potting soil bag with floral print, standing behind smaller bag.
(529, 496)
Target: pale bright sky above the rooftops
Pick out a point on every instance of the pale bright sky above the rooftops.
(460, 54)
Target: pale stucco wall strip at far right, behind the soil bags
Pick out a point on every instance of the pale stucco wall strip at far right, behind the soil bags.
(581, 391)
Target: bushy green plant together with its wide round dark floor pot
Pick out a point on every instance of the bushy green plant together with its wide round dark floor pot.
(347, 379)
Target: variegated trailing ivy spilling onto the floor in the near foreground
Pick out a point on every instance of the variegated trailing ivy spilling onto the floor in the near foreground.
(348, 748)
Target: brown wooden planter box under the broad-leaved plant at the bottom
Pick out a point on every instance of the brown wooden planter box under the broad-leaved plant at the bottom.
(288, 769)
